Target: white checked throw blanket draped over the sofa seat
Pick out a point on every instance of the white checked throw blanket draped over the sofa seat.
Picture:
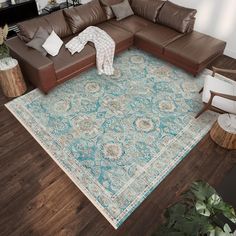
(104, 44)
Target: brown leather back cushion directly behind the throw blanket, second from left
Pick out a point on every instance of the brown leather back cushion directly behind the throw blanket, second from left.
(85, 15)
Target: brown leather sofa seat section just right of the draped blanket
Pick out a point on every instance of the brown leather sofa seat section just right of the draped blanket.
(123, 39)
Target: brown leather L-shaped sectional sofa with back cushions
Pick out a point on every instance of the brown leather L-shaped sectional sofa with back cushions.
(156, 27)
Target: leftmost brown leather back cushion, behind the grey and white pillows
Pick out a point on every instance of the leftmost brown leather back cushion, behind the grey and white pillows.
(54, 21)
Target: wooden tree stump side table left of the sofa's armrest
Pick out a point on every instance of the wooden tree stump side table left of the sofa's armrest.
(11, 78)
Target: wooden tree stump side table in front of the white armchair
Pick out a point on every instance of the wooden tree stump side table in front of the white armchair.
(223, 132)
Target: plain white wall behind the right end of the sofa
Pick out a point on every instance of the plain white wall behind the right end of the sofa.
(216, 18)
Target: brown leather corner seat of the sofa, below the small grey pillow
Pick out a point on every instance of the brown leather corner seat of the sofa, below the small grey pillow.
(132, 24)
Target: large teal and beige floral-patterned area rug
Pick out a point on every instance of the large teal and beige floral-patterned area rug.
(117, 137)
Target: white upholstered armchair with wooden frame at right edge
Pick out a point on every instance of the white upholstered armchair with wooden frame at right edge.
(219, 94)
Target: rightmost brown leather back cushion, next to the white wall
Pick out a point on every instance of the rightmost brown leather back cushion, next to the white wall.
(176, 17)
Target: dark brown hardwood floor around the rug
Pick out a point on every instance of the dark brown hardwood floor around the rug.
(37, 198)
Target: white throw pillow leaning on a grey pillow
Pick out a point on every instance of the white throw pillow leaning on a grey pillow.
(52, 44)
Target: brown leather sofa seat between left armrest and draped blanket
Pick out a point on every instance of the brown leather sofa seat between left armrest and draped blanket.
(66, 64)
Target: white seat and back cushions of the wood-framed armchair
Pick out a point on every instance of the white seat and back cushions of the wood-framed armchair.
(225, 86)
